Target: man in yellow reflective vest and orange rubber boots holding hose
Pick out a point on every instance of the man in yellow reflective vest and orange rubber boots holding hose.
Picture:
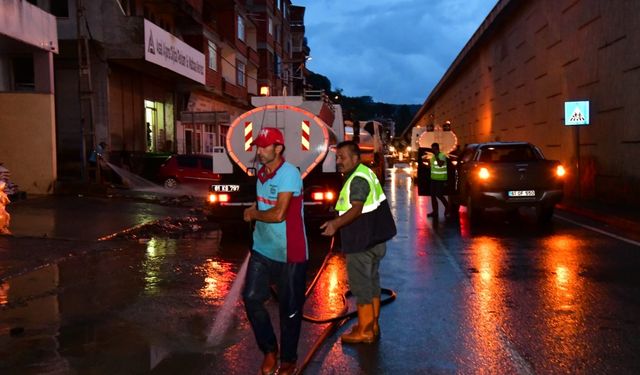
(365, 223)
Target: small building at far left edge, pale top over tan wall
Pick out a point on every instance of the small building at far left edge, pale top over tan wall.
(28, 44)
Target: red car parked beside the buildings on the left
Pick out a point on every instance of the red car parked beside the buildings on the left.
(188, 170)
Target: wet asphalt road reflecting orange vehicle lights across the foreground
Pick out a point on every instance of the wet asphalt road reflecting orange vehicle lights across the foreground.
(506, 296)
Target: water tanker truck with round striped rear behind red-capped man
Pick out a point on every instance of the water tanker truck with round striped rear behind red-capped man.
(311, 130)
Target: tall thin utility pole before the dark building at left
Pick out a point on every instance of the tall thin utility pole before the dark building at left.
(85, 90)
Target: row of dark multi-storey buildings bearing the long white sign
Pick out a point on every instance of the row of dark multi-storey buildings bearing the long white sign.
(150, 78)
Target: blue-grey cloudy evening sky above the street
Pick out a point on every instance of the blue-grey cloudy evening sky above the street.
(395, 51)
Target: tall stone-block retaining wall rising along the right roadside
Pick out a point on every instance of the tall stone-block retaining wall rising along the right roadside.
(529, 60)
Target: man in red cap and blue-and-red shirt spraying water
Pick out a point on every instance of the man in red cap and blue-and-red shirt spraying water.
(279, 255)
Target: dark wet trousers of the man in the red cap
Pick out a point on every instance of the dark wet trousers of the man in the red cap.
(290, 281)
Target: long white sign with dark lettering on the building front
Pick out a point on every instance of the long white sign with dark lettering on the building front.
(164, 49)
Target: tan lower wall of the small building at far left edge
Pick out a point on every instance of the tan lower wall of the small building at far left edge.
(27, 140)
